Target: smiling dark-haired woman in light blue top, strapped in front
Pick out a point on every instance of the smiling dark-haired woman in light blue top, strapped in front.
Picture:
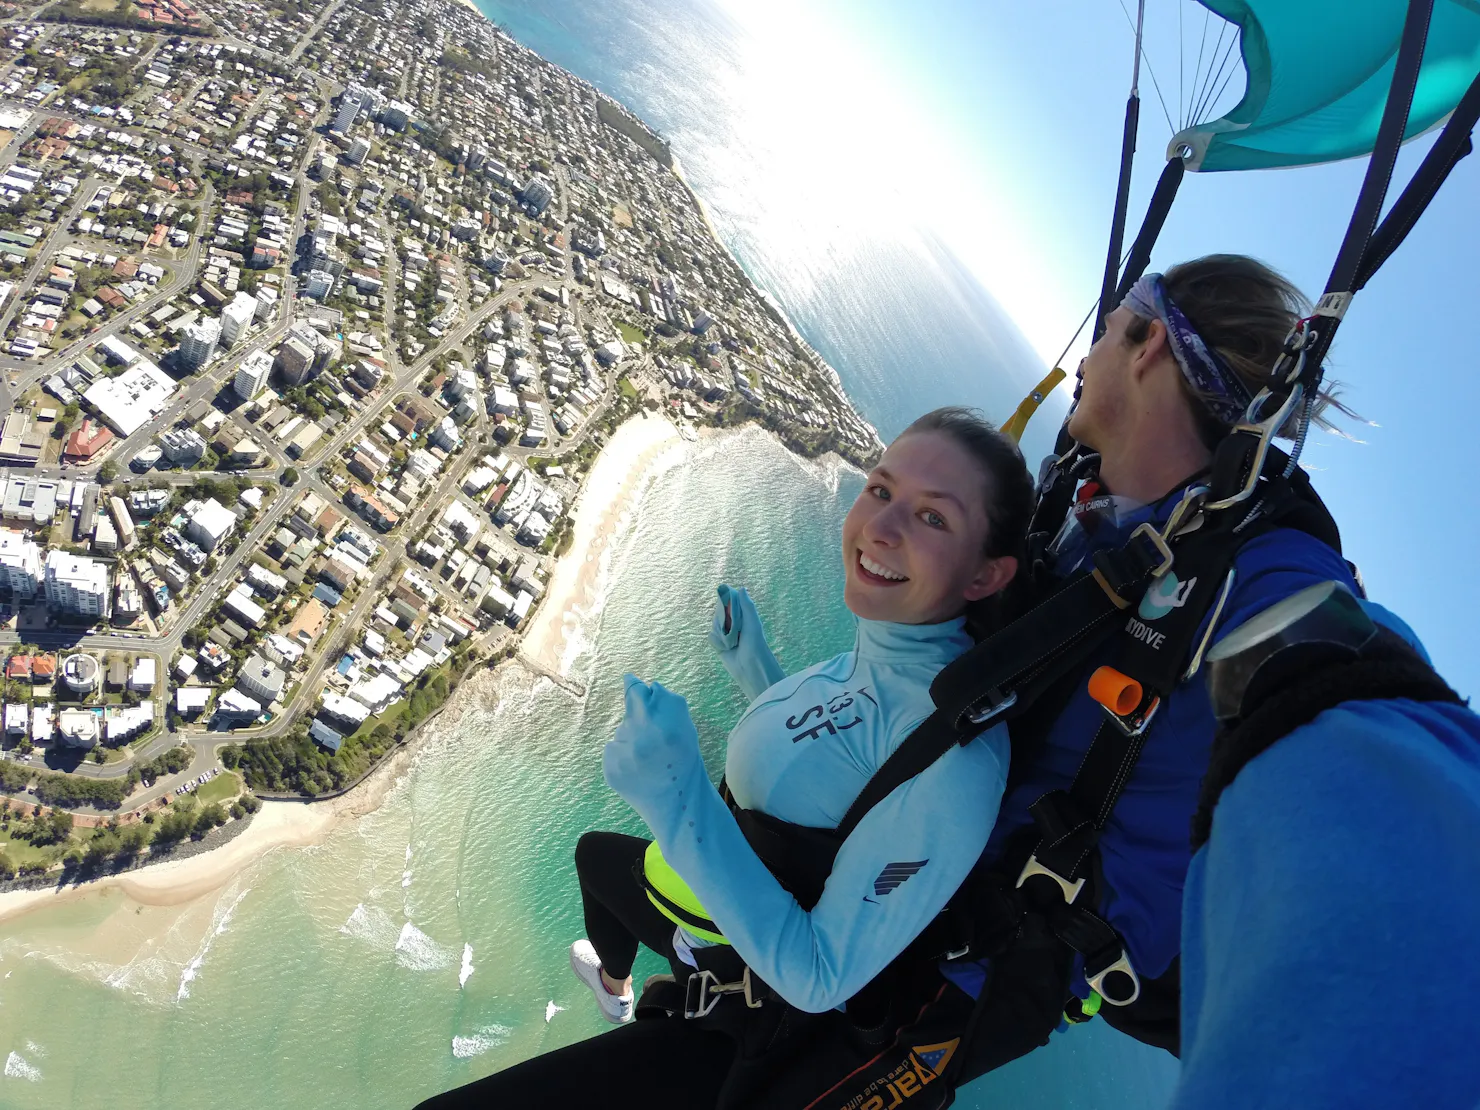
(936, 529)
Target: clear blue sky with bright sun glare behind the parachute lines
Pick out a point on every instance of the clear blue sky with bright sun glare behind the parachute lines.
(1016, 121)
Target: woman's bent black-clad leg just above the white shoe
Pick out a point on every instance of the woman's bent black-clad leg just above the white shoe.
(619, 915)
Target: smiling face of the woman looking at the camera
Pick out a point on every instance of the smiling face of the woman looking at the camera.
(914, 542)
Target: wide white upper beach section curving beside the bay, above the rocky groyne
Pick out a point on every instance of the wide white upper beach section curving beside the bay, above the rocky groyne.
(615, 482)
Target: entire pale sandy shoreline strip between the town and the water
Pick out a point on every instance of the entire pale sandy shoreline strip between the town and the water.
(609, 495)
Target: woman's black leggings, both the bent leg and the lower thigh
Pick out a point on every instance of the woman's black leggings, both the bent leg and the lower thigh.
(652, 1065)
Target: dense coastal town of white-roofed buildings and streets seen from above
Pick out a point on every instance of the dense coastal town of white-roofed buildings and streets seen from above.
(314, 319)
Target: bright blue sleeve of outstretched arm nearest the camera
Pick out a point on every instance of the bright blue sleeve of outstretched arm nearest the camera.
(1330, 923)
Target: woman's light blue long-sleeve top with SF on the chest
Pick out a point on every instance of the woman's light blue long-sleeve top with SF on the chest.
(803, 753)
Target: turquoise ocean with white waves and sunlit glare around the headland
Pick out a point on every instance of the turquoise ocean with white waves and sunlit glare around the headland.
(424, 945)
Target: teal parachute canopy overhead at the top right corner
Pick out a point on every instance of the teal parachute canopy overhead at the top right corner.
(1318, 76)
